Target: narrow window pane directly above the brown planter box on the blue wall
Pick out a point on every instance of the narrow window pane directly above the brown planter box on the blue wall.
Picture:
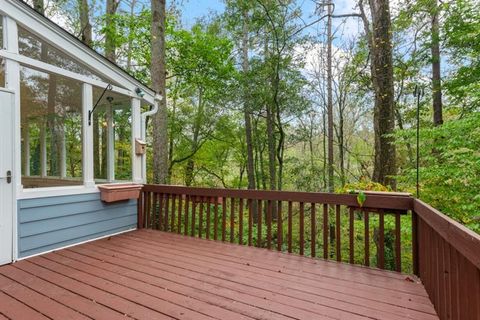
(112, 138)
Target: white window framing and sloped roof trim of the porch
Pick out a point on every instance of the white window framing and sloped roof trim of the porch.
(13, 62)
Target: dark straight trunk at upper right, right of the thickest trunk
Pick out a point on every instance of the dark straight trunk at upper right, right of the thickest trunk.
(436, 68)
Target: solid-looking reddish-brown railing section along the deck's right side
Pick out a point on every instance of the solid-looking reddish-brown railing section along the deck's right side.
(447, 260)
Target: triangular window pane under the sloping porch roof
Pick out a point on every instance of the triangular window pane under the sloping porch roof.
(33, 47)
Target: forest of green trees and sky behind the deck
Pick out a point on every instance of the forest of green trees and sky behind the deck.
(307, 95)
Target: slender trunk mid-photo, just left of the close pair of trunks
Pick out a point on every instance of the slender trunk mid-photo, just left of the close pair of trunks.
(246, 105)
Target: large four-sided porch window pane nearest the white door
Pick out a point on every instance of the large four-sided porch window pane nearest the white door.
(51, 128)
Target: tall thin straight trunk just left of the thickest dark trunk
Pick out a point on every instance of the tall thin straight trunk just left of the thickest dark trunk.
(331, 185)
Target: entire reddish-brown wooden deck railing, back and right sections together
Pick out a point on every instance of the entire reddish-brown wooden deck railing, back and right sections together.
(442, 253)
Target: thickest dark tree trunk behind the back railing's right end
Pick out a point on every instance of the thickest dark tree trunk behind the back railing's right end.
(379, 36)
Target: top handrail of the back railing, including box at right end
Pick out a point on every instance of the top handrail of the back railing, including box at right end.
(373, 201)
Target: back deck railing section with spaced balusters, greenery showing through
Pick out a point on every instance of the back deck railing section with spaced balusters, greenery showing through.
(332, 226)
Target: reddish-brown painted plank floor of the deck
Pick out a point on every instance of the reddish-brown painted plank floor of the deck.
(155, 275)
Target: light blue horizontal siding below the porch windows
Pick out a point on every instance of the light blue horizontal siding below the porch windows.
(48, 223)
